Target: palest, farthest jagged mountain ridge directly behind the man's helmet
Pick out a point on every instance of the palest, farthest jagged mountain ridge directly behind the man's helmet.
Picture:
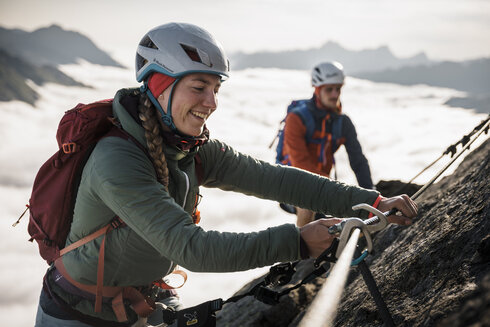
(354, 61)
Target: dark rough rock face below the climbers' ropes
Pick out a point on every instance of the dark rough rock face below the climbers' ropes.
(433, 273)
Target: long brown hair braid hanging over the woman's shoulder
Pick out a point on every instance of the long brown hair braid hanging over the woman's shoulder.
(153, 137)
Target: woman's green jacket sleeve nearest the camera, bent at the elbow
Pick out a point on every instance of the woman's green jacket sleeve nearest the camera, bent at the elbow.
(132, 192)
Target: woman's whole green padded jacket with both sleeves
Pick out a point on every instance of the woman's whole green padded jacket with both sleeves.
(119, 179)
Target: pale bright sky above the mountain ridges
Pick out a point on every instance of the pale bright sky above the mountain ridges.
(443, 29)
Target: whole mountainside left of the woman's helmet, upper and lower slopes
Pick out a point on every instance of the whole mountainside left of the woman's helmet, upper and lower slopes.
(35, 55)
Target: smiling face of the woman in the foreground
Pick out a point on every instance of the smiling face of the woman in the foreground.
(194, 99)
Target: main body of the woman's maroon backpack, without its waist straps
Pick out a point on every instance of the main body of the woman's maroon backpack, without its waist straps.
(55, 187)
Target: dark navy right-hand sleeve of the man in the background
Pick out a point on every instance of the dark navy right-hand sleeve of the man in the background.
(358, 161)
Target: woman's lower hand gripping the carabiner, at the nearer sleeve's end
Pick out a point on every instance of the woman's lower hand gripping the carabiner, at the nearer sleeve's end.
(316, 235)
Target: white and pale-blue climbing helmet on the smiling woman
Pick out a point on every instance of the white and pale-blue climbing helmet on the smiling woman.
(177, 49)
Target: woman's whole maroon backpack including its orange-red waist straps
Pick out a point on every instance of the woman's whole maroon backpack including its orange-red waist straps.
(54, 193)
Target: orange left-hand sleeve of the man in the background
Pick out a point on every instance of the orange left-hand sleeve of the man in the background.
(295, 144)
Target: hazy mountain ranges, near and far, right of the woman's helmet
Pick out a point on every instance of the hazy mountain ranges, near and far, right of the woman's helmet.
(380, 65)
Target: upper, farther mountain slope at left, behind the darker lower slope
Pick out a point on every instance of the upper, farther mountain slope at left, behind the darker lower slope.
(52, 46)
